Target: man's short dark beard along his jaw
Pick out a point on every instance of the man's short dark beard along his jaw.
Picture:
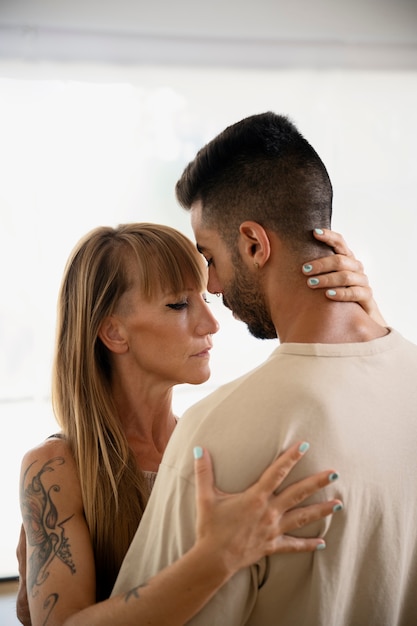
(245, 298)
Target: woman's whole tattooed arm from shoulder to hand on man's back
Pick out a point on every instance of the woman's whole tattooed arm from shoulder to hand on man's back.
(233, 531)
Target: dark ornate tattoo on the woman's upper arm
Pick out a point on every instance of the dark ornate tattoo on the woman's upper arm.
(45, 532)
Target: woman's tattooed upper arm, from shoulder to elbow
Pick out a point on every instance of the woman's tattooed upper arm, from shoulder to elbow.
(60, 572)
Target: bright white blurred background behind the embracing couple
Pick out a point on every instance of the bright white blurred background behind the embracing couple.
(103, 103)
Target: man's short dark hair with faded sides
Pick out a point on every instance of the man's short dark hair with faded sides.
(260, 169)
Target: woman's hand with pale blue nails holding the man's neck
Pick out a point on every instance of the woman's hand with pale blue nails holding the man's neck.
(341, 275)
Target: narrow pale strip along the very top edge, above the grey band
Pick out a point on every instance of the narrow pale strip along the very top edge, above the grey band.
(381, 21)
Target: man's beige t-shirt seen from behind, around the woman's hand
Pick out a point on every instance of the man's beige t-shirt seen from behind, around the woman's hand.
(356, 404)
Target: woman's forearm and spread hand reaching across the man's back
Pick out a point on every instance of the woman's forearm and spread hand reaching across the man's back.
(233, 531)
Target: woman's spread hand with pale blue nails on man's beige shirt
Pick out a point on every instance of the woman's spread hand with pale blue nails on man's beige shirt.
(246, 526)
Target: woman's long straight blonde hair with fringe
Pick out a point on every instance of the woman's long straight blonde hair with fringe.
(100, 270)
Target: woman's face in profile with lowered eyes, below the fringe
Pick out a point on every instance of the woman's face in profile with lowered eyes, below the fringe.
(168, 337)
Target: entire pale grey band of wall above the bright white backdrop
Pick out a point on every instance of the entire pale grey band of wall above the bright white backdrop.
(363, 34)
